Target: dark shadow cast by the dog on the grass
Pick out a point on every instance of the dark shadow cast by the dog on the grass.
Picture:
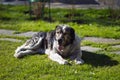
(95, 59)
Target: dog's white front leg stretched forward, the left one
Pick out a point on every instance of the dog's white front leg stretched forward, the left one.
(56, 57)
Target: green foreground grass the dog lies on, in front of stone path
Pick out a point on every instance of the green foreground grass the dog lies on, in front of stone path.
(98, 66)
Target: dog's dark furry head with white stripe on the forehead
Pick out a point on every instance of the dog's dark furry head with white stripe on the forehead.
(64, 35)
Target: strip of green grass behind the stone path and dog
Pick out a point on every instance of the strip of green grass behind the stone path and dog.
(90, 22)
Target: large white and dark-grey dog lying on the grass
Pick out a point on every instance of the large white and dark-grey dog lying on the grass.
(59, 44)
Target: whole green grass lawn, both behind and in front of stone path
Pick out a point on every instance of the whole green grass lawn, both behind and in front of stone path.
(98, 66)
